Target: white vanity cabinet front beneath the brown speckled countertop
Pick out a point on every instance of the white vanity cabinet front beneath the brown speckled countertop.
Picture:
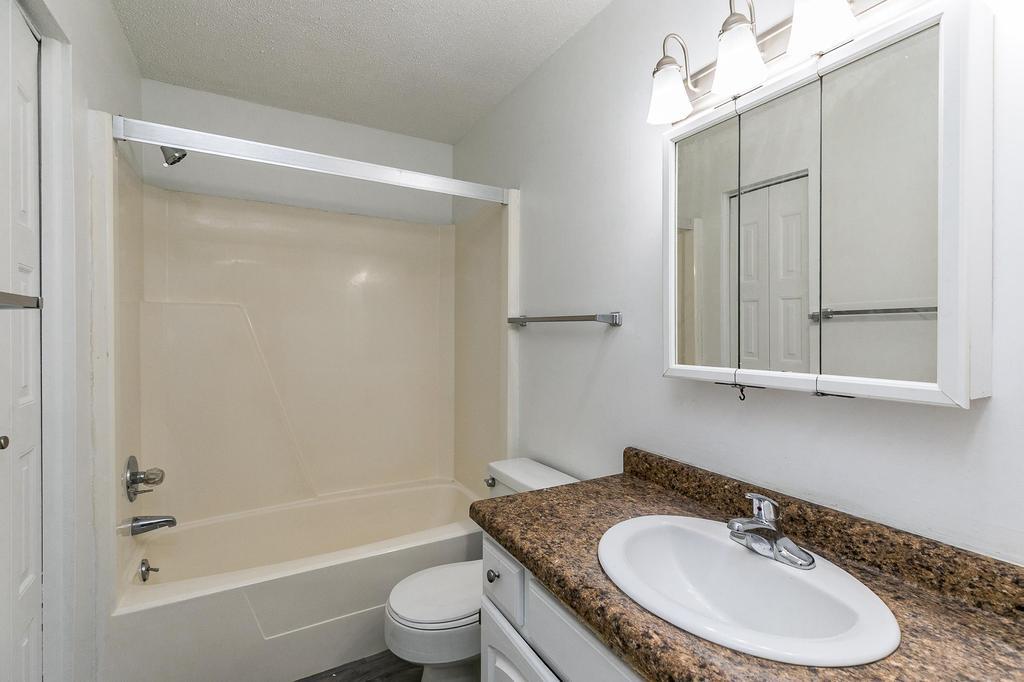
(529, 636)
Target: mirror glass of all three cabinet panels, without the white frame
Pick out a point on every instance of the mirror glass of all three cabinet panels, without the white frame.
(807, 228)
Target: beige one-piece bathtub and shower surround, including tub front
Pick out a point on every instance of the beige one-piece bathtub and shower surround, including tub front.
(295, 373)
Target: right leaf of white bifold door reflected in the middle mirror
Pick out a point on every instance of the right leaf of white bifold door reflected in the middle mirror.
(790, 286)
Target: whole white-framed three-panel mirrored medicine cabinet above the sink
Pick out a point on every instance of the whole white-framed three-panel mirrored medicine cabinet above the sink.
(831, 231)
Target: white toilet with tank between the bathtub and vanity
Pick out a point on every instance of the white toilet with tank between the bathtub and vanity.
(433, 618)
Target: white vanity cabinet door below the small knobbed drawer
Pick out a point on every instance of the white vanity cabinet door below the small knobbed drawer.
(505, 657)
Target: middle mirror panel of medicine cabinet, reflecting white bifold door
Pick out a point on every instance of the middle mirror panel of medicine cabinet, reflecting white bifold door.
(776, 220)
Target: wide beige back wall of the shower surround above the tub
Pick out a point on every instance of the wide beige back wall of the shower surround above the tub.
(289, 353)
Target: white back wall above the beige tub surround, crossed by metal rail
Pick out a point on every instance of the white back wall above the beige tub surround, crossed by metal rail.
(211, 113)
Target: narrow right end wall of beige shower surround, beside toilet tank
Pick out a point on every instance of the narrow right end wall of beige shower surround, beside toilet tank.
(481, 345)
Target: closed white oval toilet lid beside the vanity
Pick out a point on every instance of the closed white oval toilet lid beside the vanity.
(443, 595)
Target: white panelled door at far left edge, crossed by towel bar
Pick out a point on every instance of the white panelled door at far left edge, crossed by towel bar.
(21, 500)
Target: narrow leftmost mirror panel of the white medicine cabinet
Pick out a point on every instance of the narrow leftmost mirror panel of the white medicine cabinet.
(707, 174)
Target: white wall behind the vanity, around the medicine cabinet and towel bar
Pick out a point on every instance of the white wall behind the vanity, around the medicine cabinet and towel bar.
(573, 138)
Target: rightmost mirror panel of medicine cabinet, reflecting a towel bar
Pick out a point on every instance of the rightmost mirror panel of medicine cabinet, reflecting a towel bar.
(880, 228)
